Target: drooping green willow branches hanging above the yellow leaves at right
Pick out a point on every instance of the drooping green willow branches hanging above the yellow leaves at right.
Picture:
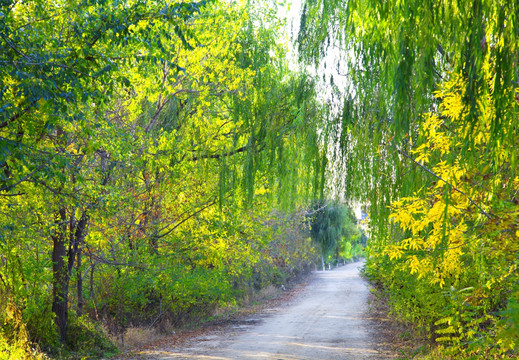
(397, 52)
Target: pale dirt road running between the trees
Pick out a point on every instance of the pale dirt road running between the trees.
(327, 320)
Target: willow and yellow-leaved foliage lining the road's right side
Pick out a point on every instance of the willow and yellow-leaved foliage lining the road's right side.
(427, 136)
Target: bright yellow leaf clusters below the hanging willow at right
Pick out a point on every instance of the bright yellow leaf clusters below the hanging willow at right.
(436, 220)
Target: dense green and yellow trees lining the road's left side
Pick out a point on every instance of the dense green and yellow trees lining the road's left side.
(156, 162)
